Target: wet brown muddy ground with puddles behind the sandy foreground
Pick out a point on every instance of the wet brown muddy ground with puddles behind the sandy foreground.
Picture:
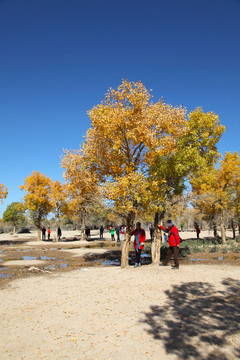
(19, 259)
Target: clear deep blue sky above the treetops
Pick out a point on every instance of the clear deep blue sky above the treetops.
(59, 57)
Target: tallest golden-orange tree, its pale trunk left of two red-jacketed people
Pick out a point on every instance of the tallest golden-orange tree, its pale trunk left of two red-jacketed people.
(127, 132)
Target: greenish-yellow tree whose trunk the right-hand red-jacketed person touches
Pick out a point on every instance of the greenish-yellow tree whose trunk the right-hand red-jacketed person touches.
(195, 150)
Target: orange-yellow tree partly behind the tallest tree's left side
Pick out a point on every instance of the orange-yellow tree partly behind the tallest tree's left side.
(81, 185)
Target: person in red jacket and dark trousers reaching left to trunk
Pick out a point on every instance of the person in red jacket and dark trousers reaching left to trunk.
(174, 241)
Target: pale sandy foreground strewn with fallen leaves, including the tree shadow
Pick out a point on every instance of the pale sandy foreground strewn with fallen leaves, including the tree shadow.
(150, 312)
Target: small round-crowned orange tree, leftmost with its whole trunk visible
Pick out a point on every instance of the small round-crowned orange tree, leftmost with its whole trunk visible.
(37, 198)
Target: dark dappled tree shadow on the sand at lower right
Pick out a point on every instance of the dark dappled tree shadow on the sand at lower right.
(198, 322)
